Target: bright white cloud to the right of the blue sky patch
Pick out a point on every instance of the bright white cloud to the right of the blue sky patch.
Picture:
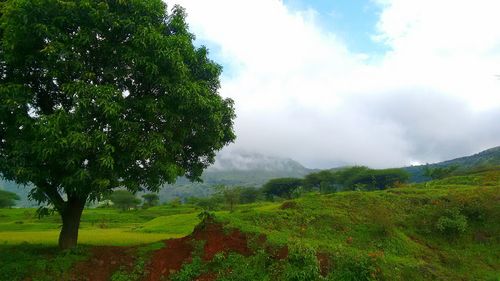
(450, 46)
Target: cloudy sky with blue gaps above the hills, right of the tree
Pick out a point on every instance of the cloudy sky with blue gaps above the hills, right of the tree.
(381, 83)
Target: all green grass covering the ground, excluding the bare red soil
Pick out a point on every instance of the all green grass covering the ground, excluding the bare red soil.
(441, 230)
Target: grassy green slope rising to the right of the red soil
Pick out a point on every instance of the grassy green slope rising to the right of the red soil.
(397, 227)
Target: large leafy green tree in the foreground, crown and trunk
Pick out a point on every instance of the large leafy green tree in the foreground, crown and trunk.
(98, 94)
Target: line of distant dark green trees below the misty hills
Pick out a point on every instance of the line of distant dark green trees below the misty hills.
(326, 181)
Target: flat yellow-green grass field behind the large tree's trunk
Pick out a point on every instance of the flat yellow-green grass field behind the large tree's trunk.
(100, 226)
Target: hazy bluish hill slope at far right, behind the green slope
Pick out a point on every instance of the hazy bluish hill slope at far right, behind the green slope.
(486, 158)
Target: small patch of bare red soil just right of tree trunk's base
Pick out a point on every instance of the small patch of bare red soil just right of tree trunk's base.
(103, 262)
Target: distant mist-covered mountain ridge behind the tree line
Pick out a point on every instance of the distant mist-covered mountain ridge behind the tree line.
(247, 169)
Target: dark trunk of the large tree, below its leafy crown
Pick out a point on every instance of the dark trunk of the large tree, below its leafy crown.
(70, 215)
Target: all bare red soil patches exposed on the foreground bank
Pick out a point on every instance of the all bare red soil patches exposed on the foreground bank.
(105, 261)
